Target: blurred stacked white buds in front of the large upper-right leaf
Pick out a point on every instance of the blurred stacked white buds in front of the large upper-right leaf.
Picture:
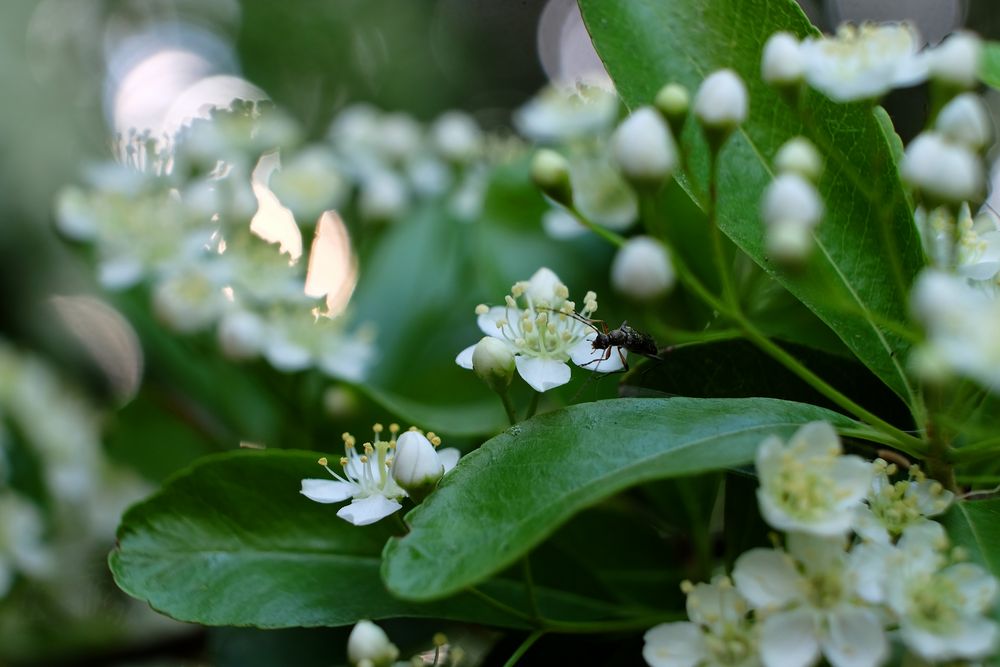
(791, 207)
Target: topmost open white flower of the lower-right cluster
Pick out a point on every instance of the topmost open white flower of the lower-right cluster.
(807, 485)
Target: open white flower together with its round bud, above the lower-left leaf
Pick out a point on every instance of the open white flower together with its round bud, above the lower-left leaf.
(384, 472)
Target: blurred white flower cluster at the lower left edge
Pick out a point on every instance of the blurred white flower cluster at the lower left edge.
(56, 528)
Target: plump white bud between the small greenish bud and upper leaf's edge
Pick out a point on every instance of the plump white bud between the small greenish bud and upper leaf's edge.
(644, 148)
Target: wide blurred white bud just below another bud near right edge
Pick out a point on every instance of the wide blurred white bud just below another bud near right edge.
(942, 171)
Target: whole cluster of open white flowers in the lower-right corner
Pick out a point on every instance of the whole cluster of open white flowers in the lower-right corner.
(825, 593)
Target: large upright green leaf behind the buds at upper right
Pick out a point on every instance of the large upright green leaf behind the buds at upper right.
(867, 250)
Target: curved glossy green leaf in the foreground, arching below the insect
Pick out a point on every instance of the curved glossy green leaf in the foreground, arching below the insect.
(531, 479)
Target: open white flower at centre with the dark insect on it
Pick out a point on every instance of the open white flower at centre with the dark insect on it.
(545, 332)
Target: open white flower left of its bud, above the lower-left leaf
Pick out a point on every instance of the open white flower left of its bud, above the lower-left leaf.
(367, 480)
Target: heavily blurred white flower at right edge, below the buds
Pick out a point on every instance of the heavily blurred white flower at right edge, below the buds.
(960, 321)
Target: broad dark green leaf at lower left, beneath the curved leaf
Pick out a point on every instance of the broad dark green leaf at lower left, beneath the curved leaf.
(230, 541)
